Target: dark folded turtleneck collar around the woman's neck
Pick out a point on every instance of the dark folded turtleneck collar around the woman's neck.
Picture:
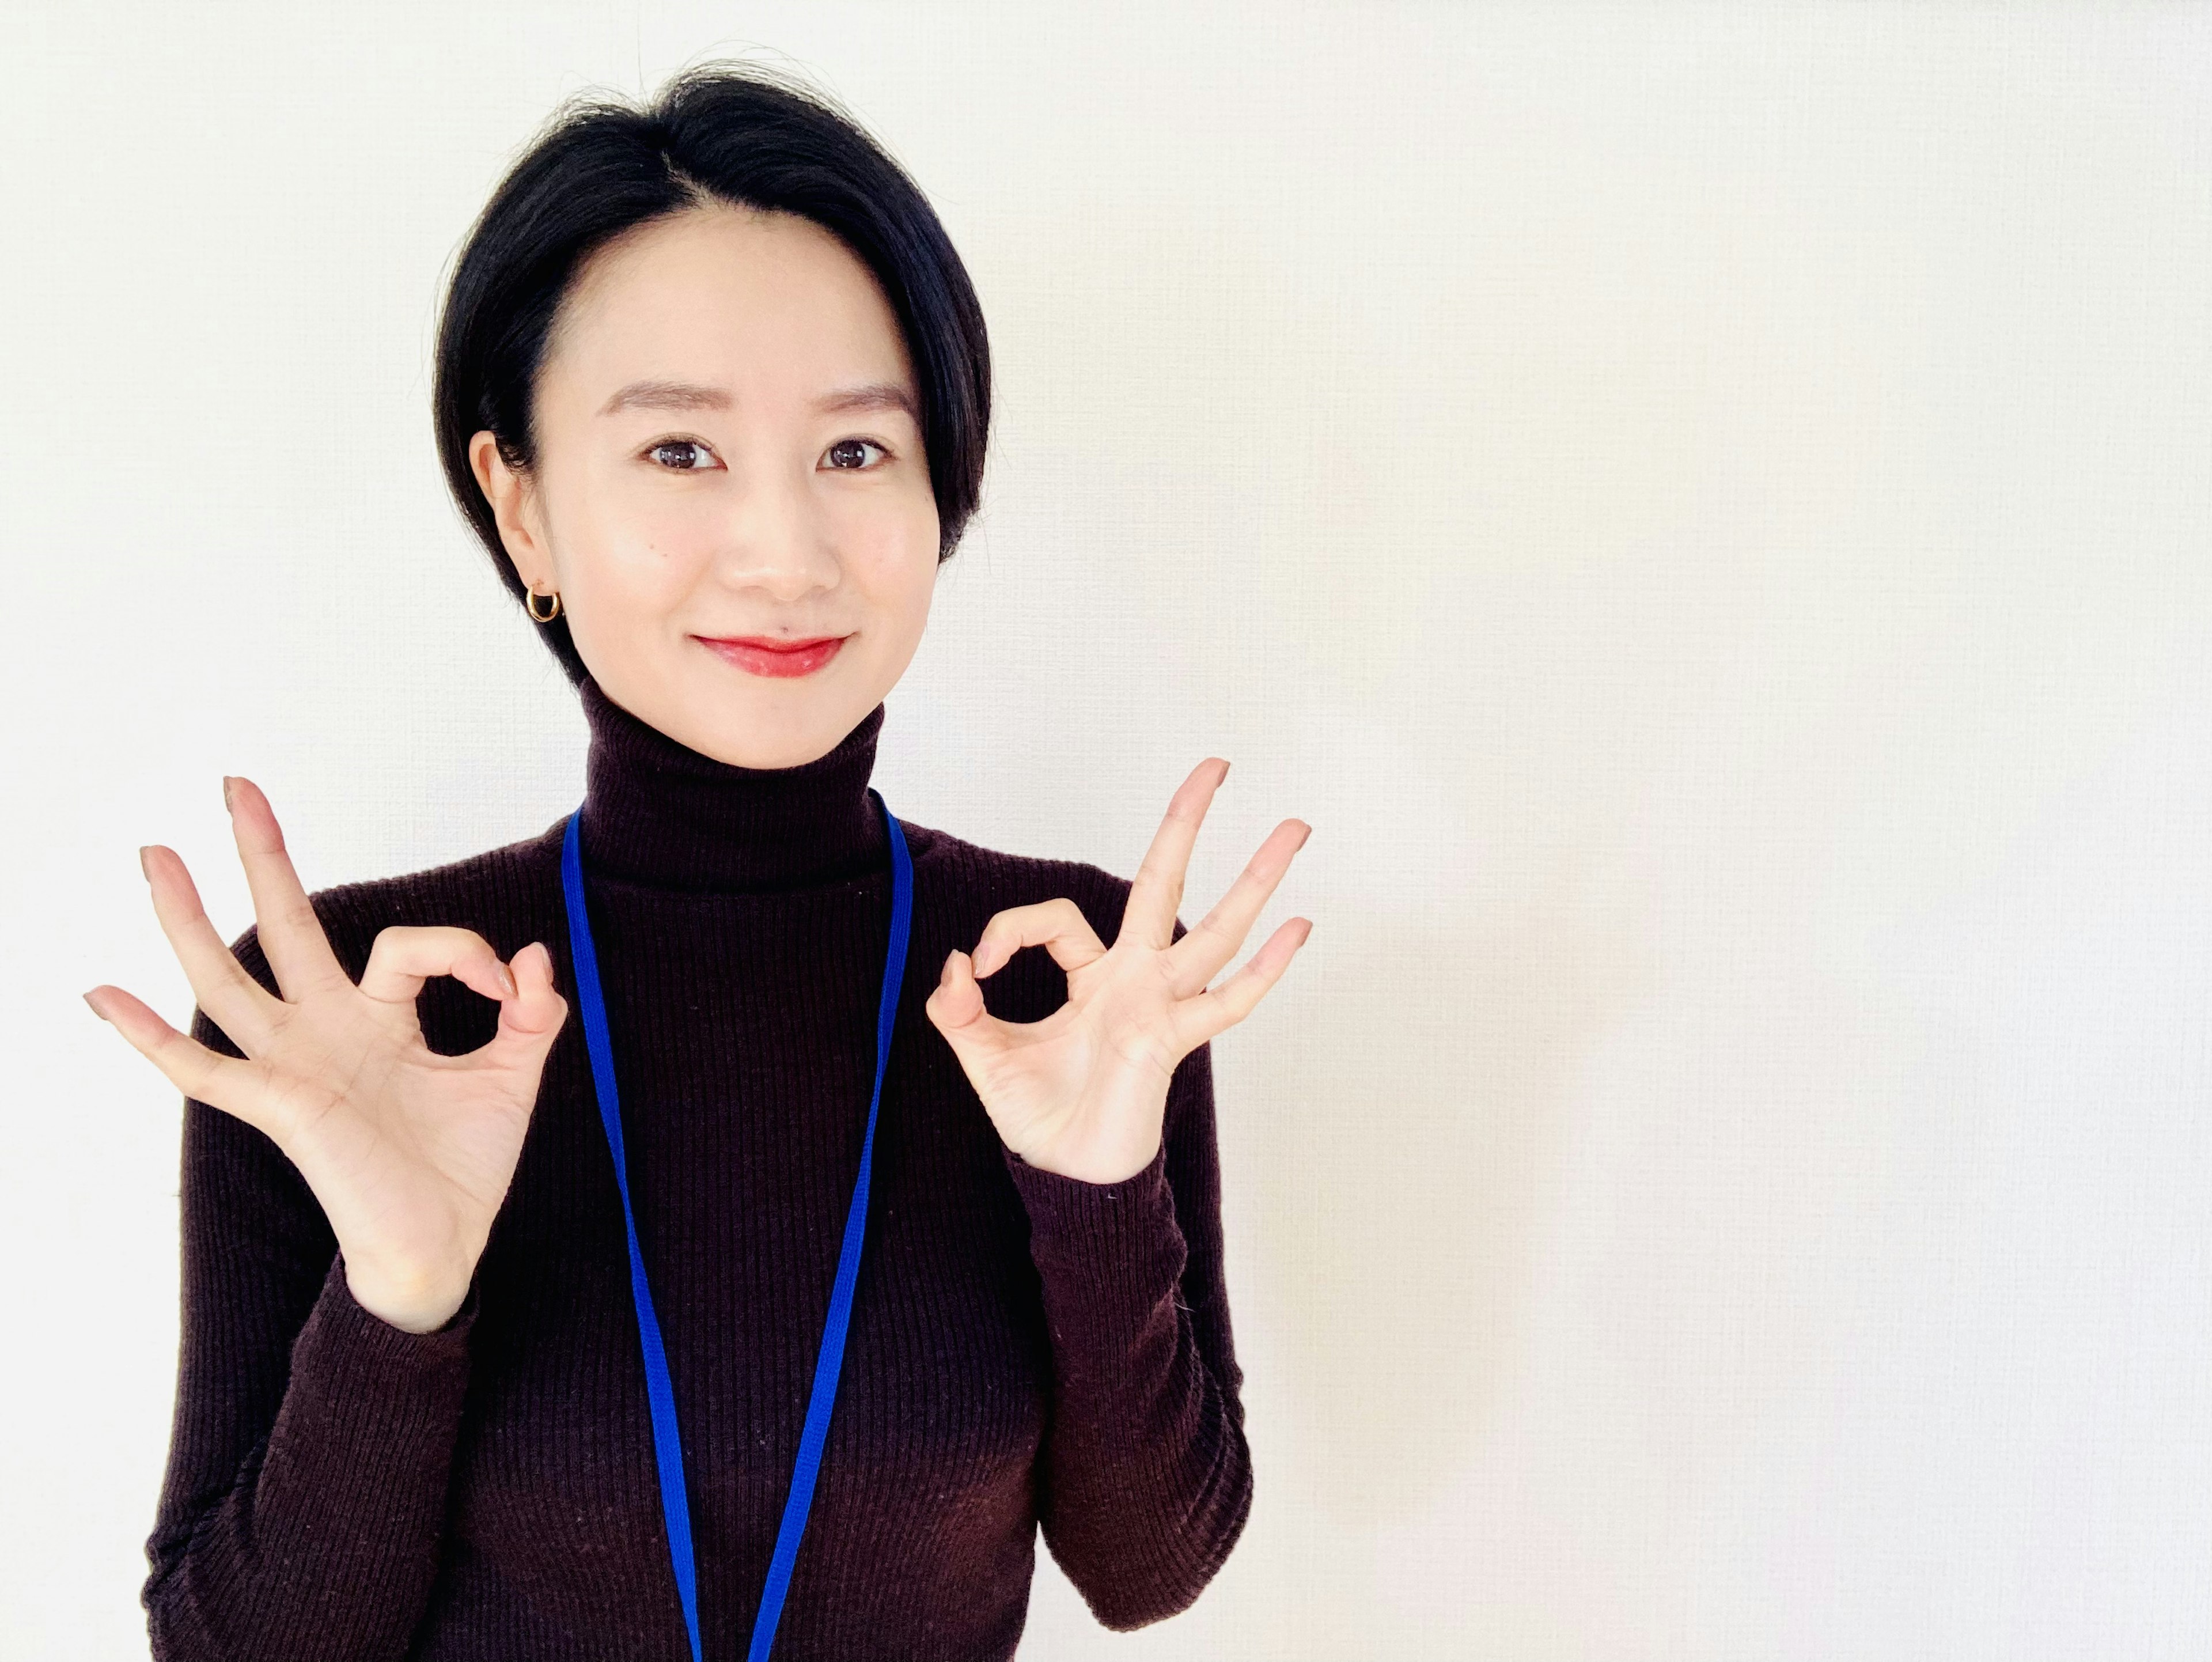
(665, 816)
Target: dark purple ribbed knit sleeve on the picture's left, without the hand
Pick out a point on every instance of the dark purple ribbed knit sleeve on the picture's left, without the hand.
(313, 1442)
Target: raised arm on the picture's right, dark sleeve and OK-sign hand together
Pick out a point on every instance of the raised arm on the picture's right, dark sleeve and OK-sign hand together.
(1107, 1116)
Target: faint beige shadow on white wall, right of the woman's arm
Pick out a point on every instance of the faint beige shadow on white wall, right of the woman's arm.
(1404, 1196)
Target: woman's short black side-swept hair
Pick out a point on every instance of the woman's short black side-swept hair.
(733, 134)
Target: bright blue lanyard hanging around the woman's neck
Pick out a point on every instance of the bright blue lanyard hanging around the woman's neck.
(660, 1393)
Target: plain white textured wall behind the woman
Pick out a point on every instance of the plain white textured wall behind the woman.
(1704, 508)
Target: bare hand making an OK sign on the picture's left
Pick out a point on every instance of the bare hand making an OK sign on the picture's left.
(408, 1152)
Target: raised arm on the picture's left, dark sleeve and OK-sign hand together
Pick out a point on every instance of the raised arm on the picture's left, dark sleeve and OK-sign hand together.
(340, 1185)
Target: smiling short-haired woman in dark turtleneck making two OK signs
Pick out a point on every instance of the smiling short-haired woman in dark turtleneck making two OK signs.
(521, 1205)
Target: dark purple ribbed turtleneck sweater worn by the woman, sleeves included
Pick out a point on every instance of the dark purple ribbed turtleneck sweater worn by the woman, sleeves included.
(1025, 1349)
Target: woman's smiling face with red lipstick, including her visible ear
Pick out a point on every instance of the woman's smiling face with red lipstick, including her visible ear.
(729, 448)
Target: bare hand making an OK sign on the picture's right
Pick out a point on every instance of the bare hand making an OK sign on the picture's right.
(1085, 1092)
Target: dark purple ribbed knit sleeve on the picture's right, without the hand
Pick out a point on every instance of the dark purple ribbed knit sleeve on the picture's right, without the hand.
(1147, 1477)
